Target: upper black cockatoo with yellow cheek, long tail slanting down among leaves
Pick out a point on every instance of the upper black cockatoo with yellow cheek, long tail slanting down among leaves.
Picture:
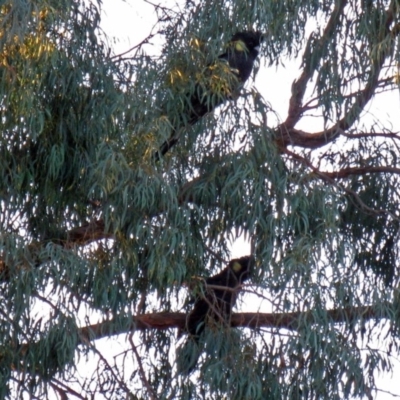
(242, 50)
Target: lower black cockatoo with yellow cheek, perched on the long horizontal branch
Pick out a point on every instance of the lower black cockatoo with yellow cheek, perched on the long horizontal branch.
(219, 297)
